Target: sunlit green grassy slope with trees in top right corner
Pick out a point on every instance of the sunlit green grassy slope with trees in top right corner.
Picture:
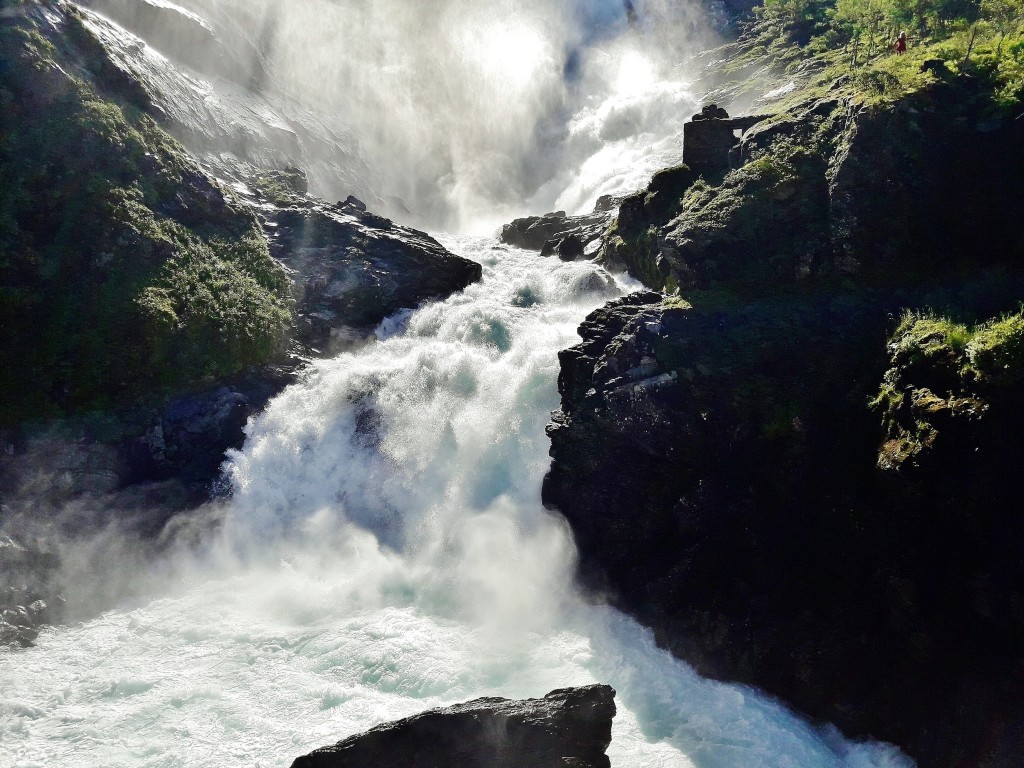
(844, 50)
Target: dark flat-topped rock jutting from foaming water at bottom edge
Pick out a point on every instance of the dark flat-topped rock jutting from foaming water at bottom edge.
(568, 728)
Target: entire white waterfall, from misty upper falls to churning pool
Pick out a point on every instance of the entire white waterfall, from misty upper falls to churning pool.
(386, 550)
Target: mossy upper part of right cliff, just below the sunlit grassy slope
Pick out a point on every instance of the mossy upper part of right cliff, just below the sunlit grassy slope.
(835, 189)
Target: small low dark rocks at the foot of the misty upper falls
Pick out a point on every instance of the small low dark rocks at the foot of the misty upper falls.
(556, 233)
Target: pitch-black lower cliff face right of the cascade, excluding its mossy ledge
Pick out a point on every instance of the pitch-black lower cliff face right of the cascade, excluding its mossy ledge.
(718, 470)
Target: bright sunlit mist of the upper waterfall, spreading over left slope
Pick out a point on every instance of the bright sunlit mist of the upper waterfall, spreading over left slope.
(453, 115)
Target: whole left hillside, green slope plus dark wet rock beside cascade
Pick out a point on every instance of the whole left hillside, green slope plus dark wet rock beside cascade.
(147, 310)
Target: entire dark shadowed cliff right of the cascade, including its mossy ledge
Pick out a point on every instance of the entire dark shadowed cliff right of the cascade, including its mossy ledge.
(716, 454)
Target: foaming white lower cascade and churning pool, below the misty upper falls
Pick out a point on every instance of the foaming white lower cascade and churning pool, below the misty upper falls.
(387, 551)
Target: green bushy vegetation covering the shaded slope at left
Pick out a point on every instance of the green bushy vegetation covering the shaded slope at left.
(124, 272)
